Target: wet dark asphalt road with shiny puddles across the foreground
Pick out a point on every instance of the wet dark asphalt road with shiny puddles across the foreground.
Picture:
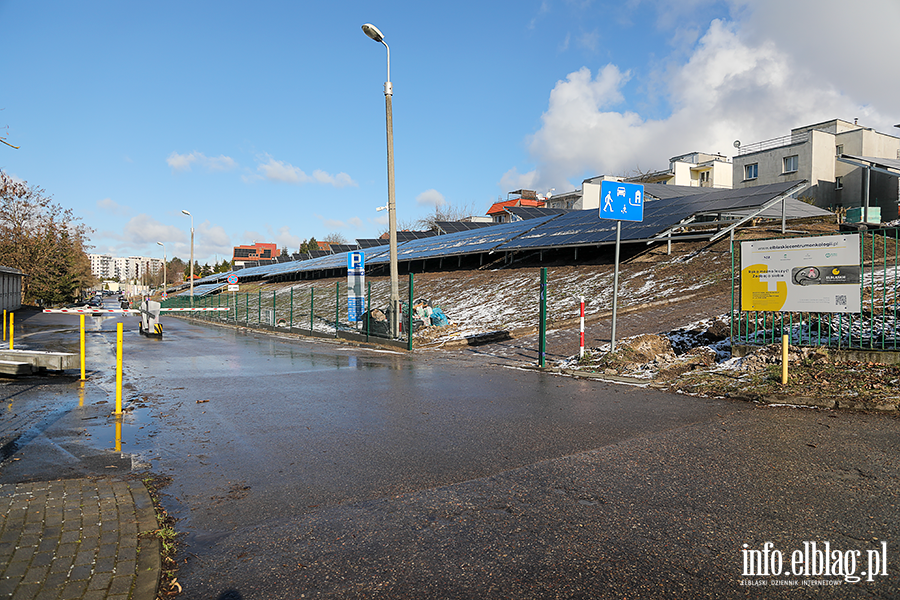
(315, 470)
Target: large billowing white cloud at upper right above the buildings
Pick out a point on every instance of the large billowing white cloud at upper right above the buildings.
(751, 78)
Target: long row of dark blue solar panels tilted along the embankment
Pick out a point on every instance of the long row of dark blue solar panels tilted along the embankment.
(561, 228)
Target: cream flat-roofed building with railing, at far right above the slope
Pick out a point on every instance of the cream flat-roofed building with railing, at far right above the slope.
(812, 152)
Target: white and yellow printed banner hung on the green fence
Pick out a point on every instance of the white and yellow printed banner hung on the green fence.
(814, 274)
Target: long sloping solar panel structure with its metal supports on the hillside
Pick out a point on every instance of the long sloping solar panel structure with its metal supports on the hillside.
(664, 214)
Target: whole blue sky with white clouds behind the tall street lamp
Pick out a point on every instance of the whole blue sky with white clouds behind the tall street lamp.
(266, 120)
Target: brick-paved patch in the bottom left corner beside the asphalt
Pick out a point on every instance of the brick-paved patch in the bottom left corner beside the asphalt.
(77, 538)
